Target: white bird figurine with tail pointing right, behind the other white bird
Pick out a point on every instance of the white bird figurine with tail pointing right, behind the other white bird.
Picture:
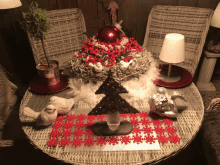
(63, 105)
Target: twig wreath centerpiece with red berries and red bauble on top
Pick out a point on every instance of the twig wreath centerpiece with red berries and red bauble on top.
(109, 49)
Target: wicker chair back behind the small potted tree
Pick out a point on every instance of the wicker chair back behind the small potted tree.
(64, 37)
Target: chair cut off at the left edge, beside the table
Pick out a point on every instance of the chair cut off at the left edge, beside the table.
(8, 99)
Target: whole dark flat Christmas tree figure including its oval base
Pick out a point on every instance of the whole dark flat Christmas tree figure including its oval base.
(112, 102)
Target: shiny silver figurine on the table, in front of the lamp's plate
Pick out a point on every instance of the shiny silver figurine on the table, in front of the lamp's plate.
(163, 104)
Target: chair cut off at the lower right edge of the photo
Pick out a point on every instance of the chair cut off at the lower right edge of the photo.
(211, 132)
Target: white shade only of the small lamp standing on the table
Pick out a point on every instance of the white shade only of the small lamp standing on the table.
(173, 49)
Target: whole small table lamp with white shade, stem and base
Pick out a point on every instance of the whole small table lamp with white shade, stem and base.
(173, 51)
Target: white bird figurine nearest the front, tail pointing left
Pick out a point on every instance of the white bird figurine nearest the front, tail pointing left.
(46, 117)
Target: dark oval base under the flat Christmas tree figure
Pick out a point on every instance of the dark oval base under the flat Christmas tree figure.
(101, 129)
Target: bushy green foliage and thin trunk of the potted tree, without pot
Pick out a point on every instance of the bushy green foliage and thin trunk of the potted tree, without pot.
(36, 22)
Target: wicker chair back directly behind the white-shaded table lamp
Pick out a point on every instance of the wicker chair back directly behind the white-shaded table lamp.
(192, 22)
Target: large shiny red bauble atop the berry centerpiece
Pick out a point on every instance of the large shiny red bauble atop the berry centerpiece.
(109, 34)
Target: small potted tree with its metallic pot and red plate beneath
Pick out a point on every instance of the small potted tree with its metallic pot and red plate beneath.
(49, 79)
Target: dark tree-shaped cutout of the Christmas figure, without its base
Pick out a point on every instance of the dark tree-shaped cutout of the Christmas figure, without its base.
(112, 101)
